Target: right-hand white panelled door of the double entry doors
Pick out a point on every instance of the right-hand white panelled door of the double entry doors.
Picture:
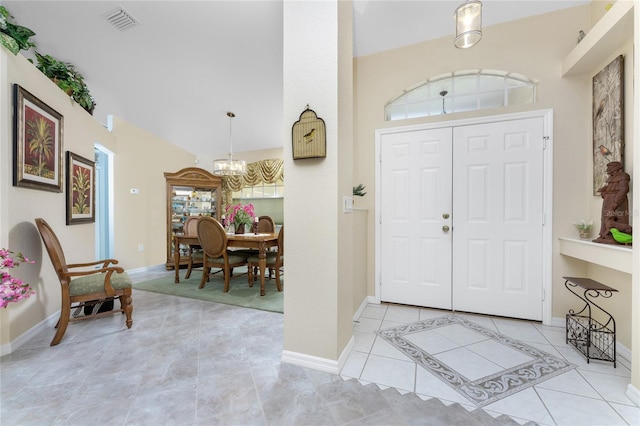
(511, 193)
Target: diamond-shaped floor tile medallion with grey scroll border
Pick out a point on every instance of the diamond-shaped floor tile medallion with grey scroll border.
(537, 367)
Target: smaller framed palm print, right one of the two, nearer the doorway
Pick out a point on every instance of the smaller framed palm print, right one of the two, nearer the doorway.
(80, 189)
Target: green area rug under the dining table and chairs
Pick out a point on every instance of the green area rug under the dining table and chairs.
(240, 294)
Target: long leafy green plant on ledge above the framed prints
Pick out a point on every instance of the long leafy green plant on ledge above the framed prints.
(67, 77)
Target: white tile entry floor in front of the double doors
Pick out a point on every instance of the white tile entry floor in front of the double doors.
(591, 394)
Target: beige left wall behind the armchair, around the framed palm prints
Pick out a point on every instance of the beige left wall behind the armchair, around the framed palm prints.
(20, 206)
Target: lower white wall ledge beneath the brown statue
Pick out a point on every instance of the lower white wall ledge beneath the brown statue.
(607, 255)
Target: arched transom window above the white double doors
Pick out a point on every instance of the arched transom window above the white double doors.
(462, 91)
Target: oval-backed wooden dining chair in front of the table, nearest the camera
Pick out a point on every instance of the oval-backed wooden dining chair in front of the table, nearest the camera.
(213, 240)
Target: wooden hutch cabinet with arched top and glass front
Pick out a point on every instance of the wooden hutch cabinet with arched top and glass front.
(190, 192)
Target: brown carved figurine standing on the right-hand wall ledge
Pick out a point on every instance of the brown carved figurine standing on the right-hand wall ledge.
(615, 205)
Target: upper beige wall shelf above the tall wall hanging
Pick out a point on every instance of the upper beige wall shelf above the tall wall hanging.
(608, 34)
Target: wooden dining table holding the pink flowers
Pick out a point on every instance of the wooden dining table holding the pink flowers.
(258, 241)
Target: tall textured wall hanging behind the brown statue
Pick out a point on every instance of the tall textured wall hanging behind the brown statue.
(607, 120)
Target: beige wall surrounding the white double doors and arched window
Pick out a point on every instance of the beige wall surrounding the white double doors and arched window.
(521, 47)
